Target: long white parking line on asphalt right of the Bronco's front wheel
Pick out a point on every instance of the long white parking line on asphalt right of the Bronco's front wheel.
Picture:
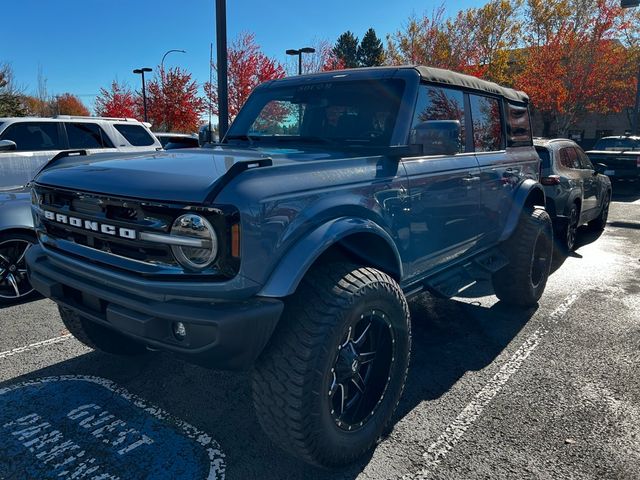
(456, 429)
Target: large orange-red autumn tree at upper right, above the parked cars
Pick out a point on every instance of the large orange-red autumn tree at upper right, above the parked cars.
(573, 66)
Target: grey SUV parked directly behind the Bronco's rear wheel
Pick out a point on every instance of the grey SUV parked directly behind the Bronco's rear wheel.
(576, 192)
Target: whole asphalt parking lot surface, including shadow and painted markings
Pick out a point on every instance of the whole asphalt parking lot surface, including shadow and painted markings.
(493, 392)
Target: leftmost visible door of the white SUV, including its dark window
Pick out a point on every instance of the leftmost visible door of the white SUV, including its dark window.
(37, 143)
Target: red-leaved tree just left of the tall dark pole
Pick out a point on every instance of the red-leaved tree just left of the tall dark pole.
(173, 103)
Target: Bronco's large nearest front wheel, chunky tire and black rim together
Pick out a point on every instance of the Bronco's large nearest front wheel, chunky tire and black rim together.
(327, 385)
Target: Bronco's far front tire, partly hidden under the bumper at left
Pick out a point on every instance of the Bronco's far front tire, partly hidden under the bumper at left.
(98, 337)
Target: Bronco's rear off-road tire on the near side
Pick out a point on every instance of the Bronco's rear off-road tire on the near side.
(523, 280)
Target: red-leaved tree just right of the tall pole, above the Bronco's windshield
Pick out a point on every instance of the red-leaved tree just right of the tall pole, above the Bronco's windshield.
(247, 68)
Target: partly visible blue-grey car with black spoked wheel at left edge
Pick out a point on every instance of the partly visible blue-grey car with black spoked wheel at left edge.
(16, 237)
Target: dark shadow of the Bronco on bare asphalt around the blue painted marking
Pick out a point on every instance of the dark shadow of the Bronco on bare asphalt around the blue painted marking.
(449, 339)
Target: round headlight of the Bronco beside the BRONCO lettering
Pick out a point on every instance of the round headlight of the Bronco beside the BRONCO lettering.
(199, 242)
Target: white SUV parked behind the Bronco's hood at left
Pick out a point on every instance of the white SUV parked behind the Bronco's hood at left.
(27, 143)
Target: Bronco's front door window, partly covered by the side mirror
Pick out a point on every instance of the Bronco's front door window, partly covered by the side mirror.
(436, 103)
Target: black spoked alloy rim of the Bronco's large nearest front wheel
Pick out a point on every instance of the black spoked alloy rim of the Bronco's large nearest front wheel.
(361, 370)
